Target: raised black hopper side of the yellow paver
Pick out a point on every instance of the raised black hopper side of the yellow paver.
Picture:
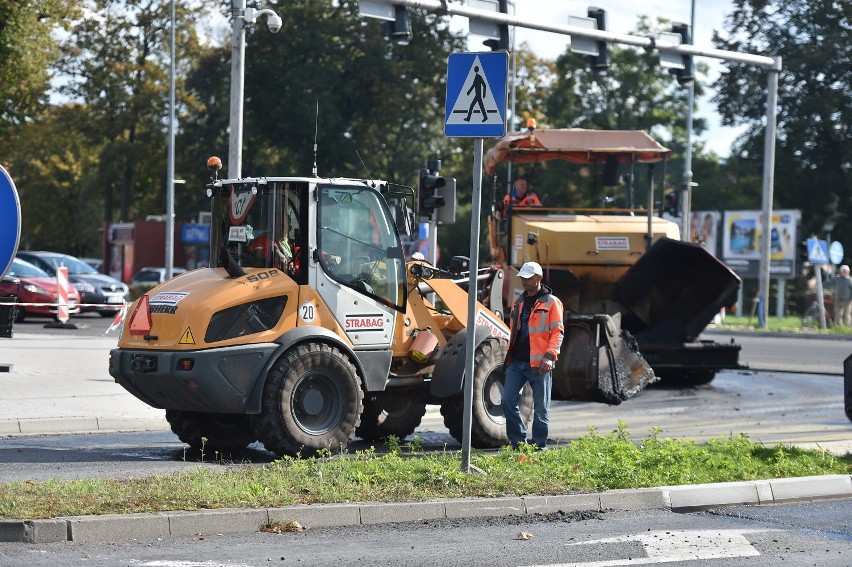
(673, 291)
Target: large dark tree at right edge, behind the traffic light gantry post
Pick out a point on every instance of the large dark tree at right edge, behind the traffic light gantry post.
(813, 149)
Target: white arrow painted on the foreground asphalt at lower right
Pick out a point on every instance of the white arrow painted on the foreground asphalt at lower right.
(672, 545)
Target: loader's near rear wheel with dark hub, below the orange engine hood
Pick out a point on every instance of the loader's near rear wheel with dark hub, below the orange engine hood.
(312, 400)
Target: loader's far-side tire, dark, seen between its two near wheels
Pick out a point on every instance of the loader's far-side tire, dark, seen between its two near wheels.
(384, 416)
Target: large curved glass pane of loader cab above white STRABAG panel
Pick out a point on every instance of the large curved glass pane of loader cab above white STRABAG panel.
(359, 244)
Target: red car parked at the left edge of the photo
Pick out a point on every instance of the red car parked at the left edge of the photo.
(32, 285)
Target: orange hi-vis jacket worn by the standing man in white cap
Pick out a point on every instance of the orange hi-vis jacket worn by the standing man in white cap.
(546, 327)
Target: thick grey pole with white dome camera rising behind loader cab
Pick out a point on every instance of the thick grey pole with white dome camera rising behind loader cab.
(240, 16)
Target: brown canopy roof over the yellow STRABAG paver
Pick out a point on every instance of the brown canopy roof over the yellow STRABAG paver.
(575, 145)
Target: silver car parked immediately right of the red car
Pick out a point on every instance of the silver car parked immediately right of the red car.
(99, 293)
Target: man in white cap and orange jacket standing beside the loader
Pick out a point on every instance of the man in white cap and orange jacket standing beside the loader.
(537, 330)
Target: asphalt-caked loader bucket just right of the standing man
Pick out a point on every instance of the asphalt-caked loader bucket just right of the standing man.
(599, 362)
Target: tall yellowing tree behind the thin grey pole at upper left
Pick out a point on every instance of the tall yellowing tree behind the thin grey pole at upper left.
(116, 62)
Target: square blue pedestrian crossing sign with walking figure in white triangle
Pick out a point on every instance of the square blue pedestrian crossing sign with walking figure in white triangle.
(476, 94)
